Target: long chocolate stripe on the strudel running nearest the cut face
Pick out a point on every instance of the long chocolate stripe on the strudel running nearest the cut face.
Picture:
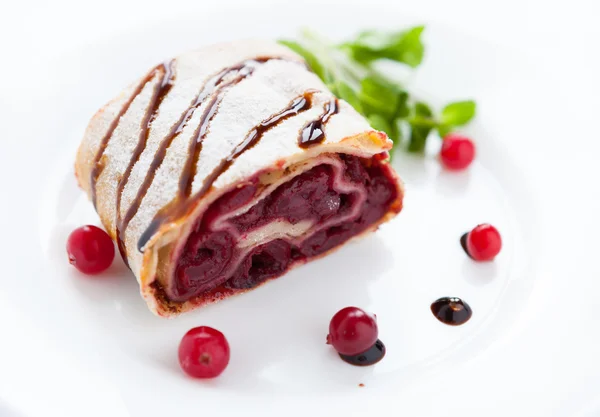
(177, 209)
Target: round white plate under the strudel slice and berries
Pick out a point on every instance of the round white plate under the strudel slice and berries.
(75, 345)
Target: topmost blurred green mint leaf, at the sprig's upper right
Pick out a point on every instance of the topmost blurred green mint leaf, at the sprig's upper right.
(404, 46)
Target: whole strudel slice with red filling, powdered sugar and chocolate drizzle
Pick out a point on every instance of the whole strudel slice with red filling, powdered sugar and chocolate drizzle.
(227, 166)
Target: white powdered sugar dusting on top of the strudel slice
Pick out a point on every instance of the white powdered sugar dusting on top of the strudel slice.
(269, 89)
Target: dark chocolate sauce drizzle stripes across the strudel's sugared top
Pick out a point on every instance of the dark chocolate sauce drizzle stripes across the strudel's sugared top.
(215, 88)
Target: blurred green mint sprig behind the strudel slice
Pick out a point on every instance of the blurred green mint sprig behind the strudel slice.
(349, 71)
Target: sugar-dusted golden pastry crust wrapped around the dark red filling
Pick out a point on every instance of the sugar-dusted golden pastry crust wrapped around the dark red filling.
(278, 77)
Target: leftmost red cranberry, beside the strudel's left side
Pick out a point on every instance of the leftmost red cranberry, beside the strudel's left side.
(90, 249)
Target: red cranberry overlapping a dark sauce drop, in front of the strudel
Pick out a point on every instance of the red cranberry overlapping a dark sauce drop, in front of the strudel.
(352, 331)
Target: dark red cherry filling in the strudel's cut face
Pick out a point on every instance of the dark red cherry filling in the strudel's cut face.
(320, 209)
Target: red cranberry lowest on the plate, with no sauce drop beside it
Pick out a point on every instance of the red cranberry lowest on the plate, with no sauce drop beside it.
(203, 352)
